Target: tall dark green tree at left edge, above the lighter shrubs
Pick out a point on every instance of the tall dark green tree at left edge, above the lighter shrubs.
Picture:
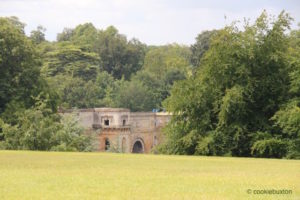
(20, 78)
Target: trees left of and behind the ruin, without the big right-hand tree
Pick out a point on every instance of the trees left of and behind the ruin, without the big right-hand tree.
(84, 68)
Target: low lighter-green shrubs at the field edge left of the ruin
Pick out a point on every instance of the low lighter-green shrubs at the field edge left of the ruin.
(38, 128)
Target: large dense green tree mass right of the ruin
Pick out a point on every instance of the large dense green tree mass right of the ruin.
(244, 98)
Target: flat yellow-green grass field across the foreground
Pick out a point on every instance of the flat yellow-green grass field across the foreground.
(53, 175)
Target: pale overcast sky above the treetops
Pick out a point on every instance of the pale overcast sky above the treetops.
(153, 22)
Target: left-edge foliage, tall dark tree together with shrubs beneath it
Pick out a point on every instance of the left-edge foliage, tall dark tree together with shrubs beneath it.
(27, 103)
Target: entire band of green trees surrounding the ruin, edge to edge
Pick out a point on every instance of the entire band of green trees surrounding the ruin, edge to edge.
(234, 92)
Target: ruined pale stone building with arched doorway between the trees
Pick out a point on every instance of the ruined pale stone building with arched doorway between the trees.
(118, 129)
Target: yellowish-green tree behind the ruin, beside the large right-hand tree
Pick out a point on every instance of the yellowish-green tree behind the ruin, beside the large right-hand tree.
(162, 67)
